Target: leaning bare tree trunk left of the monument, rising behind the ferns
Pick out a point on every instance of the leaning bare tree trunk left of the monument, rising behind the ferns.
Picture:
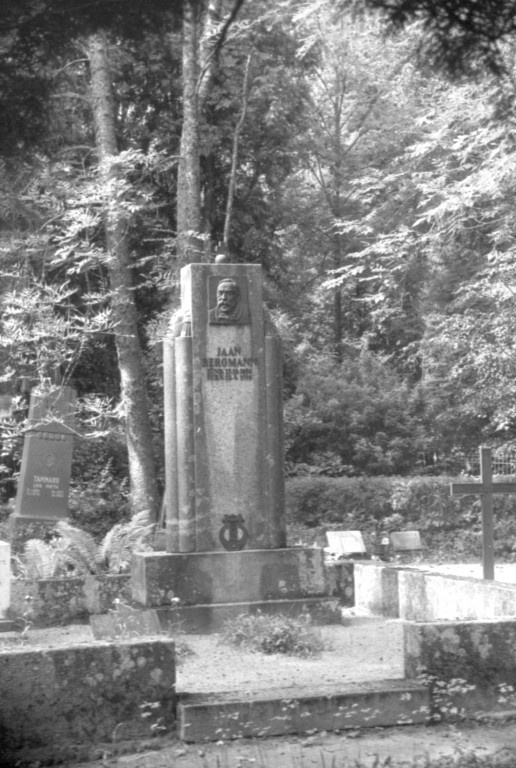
(142, 471)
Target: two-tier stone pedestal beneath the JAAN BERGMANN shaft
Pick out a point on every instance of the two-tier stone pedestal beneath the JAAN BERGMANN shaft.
(203, 589)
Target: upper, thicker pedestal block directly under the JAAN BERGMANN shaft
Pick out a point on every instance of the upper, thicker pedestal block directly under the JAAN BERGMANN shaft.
(200, 578)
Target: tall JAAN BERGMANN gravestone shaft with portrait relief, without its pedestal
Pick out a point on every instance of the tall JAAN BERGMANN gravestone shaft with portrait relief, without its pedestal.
(223, 428)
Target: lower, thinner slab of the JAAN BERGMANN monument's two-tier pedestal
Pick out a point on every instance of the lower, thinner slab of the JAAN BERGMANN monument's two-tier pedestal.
(204, 619)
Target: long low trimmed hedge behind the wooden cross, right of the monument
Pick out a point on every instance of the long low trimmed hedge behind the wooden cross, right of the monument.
(378, 505)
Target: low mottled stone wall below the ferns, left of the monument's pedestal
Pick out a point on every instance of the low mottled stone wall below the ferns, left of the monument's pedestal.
(52, 602)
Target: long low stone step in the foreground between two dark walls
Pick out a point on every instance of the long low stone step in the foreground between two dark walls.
(229, 715)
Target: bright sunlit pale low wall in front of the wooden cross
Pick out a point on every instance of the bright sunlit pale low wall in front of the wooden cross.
(417, 595)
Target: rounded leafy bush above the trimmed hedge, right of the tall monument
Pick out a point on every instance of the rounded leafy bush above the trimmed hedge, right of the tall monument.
(355, 418)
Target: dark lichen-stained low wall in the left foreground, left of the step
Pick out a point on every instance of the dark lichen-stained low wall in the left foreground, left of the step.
(55, 697)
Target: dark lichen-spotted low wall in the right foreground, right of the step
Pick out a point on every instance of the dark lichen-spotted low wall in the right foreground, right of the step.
(470, 663)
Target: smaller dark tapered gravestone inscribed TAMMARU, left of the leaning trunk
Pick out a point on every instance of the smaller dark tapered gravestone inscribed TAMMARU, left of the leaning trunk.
(43, 484)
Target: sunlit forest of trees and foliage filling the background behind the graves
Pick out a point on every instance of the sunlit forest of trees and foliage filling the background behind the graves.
(373, 183)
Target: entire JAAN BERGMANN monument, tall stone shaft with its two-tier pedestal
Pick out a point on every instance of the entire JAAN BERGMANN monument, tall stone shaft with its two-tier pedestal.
(225, 520)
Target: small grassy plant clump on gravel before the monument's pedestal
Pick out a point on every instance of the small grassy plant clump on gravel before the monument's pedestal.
(274, 634)
